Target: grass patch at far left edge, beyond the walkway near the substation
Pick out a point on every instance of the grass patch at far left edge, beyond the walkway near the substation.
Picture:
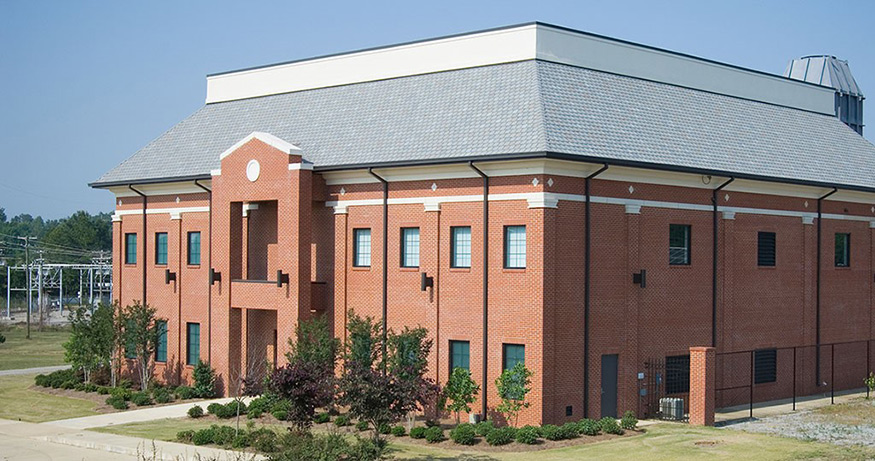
(44, 348)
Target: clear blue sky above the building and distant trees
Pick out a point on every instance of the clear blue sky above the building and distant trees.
(85, 84)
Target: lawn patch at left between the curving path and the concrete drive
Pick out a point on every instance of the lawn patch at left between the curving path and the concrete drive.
(21, 403)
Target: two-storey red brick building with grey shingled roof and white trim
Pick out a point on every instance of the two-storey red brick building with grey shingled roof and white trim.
(579, 203)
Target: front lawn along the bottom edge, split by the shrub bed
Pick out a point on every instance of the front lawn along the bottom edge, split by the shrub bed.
(660, 442)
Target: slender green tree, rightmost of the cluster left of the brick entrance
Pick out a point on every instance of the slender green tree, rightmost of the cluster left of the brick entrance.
(141, 334)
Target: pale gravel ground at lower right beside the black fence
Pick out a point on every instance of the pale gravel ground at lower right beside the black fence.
(812, 425)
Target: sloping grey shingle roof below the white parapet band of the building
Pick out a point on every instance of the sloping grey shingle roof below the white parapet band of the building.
(523, 107)
